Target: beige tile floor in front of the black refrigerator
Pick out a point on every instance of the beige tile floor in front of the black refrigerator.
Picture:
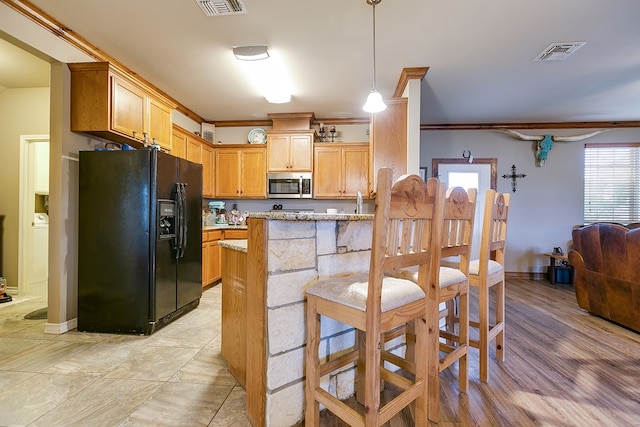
(175, 377)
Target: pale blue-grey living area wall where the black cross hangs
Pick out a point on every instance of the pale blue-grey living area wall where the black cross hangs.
(547, 203)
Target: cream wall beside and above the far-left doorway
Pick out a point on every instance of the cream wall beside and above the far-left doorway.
(22, 112)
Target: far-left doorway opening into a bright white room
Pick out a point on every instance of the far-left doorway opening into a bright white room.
(33, 241)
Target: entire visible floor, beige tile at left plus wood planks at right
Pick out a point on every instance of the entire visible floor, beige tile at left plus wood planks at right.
(563, 368)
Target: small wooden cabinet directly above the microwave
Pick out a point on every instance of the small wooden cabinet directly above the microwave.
(290, 151)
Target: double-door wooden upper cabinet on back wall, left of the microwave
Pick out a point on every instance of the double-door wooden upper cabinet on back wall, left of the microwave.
(240, 172)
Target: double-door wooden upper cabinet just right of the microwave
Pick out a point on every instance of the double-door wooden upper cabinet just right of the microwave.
(341, 170)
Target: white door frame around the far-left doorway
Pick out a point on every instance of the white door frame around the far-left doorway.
(26, 205)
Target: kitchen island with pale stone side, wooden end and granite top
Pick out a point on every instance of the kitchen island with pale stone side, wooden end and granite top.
(285, 253)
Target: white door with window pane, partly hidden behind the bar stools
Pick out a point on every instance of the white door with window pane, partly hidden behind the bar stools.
(481, 174)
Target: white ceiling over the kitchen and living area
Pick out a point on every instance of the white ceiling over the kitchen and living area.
(480, 55)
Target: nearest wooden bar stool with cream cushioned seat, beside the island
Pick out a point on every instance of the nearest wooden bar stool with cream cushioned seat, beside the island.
(405, 233)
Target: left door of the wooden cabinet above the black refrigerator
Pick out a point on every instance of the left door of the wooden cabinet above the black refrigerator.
(127, 108)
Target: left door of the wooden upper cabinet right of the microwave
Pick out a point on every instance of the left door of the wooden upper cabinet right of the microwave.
(327, 172)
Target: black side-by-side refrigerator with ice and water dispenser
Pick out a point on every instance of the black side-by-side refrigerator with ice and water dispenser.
(139, 240)
